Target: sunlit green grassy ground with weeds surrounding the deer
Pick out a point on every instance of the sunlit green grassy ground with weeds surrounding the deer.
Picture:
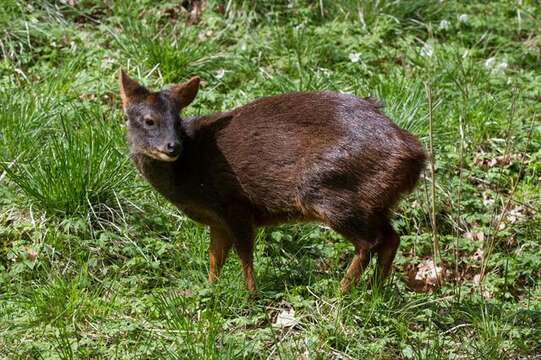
(94, 264)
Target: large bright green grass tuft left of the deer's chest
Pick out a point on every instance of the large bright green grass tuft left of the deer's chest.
(74, 165)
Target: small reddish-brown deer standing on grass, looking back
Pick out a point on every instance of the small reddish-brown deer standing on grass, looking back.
(298, 157)
